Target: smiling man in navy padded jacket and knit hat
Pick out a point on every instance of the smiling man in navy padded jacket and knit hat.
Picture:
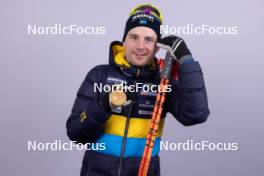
(96, 120)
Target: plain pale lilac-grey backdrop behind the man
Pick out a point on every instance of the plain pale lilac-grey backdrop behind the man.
(41, 74)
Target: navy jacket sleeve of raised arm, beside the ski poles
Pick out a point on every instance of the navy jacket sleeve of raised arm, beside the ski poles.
(188, 100)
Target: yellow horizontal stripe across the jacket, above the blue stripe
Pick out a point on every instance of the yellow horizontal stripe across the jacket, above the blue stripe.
(138, 128)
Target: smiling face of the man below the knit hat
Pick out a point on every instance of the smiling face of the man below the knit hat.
(140, 46)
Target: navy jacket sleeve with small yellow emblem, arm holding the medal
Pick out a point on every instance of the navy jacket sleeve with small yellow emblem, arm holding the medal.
(88, 114)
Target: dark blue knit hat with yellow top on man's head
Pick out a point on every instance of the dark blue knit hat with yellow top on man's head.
(144, 15)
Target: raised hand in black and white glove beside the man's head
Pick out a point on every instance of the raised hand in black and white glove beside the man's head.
(175, 45)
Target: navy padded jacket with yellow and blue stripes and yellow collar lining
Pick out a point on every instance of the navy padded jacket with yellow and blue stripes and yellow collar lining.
(90, 121)
